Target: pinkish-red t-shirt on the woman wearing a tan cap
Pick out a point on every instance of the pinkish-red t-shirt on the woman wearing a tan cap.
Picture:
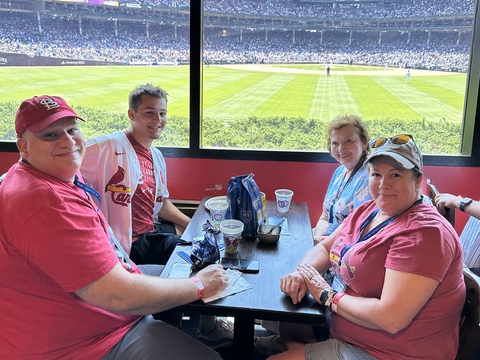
(419, 241)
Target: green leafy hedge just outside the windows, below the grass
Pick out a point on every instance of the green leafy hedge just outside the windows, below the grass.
(270, 133)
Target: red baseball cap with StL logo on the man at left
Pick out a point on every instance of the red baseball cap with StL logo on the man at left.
(39, 112)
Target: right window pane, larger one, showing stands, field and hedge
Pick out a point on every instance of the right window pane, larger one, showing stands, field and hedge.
(276, 72)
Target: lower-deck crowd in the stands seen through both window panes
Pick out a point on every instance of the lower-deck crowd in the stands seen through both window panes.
(128, 42)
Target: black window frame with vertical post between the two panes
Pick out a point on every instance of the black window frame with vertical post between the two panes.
(470, 146)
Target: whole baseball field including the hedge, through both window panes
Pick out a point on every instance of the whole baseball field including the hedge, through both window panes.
(254, 106)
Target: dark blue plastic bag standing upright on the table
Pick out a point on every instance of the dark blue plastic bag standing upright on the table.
(245, 203)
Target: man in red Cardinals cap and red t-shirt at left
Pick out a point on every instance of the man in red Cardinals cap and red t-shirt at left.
(66, 286)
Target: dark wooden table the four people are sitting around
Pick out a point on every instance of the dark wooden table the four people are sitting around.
(264, 300)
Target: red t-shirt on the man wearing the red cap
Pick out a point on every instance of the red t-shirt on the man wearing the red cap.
(52, 243)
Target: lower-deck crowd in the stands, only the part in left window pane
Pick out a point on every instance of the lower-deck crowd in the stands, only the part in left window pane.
(61, 38)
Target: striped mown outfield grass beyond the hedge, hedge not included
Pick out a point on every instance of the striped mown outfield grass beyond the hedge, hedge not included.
(244, 92)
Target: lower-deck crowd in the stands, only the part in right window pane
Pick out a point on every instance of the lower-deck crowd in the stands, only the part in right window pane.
(336, 47)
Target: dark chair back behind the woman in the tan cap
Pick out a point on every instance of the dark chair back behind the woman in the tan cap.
(470, 320)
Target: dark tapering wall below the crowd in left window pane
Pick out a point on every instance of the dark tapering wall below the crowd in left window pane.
(11, 59)
